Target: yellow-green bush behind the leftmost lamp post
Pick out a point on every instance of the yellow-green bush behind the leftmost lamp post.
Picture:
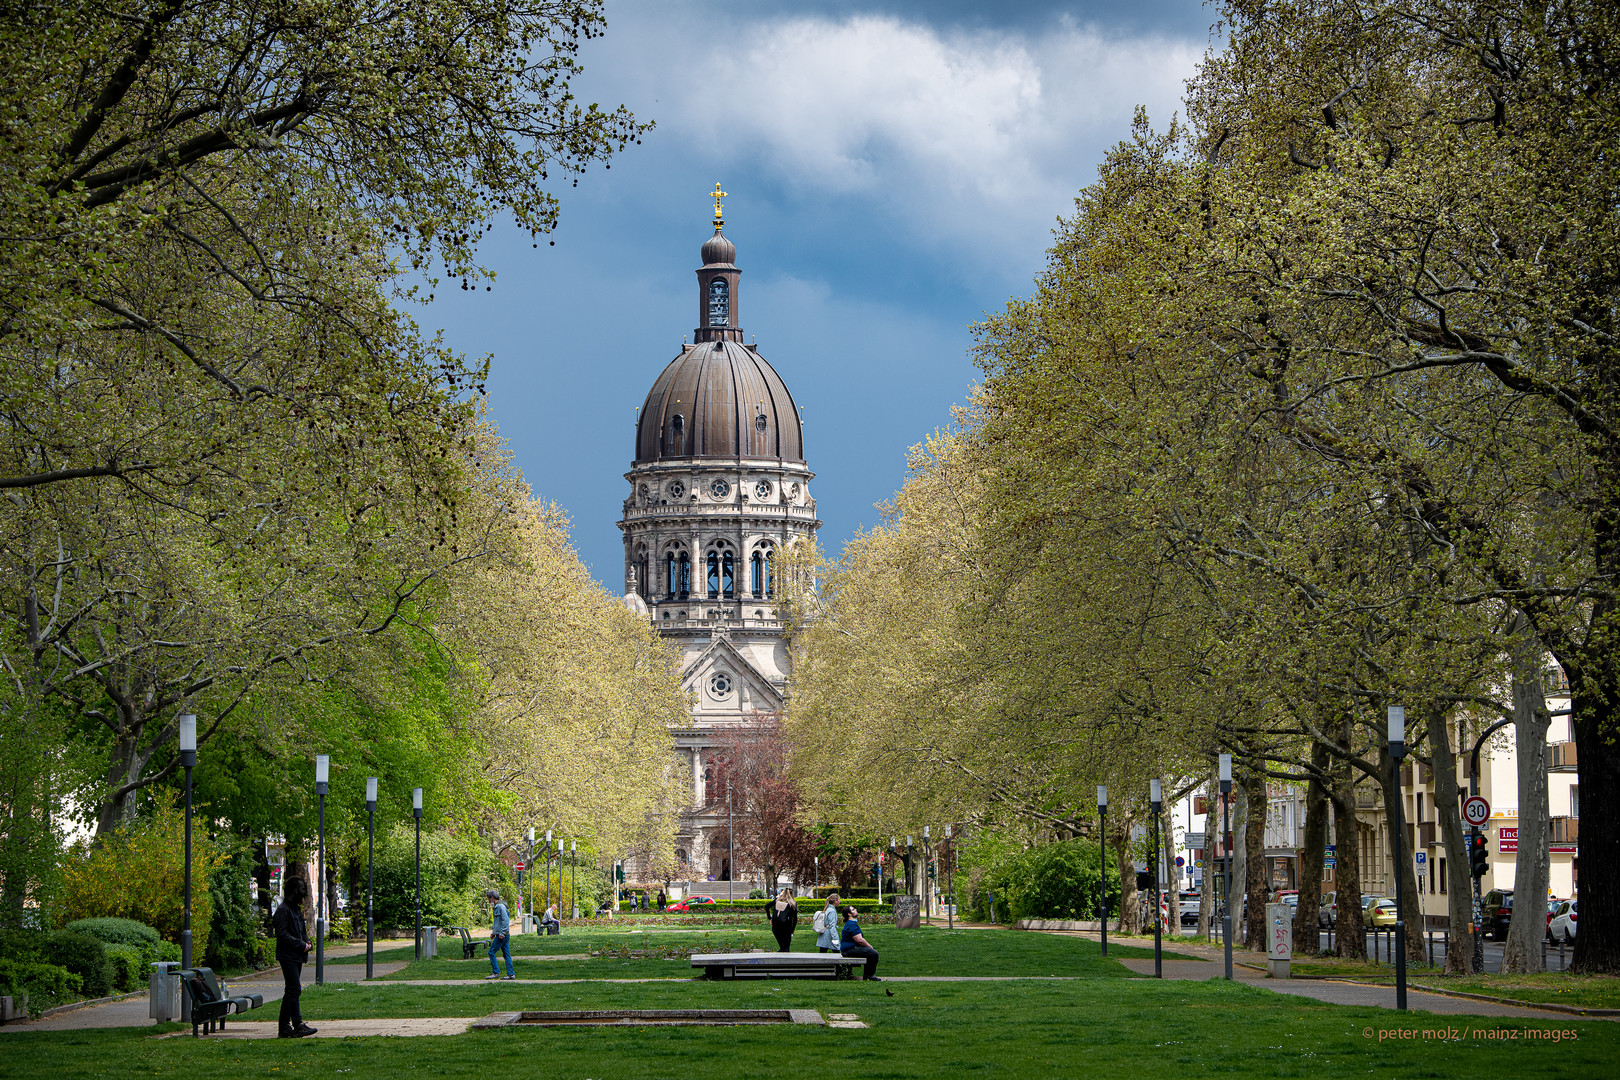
(139, 872)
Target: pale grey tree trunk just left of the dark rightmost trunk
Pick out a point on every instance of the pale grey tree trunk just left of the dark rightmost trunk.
(1528, 927)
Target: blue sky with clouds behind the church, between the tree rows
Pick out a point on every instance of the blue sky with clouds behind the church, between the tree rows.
(895, 172)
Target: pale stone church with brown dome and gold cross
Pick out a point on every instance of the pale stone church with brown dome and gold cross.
(718, 488)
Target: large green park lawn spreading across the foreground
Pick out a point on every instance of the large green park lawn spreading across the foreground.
(1104, 1023)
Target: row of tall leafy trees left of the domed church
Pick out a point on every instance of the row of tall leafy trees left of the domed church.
(239, 480)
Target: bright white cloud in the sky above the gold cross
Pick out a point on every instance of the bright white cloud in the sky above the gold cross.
(970, 137)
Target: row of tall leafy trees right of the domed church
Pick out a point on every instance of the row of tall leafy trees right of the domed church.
(1311, 414)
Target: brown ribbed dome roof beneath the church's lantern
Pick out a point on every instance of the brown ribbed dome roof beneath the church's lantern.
(718, 401)
